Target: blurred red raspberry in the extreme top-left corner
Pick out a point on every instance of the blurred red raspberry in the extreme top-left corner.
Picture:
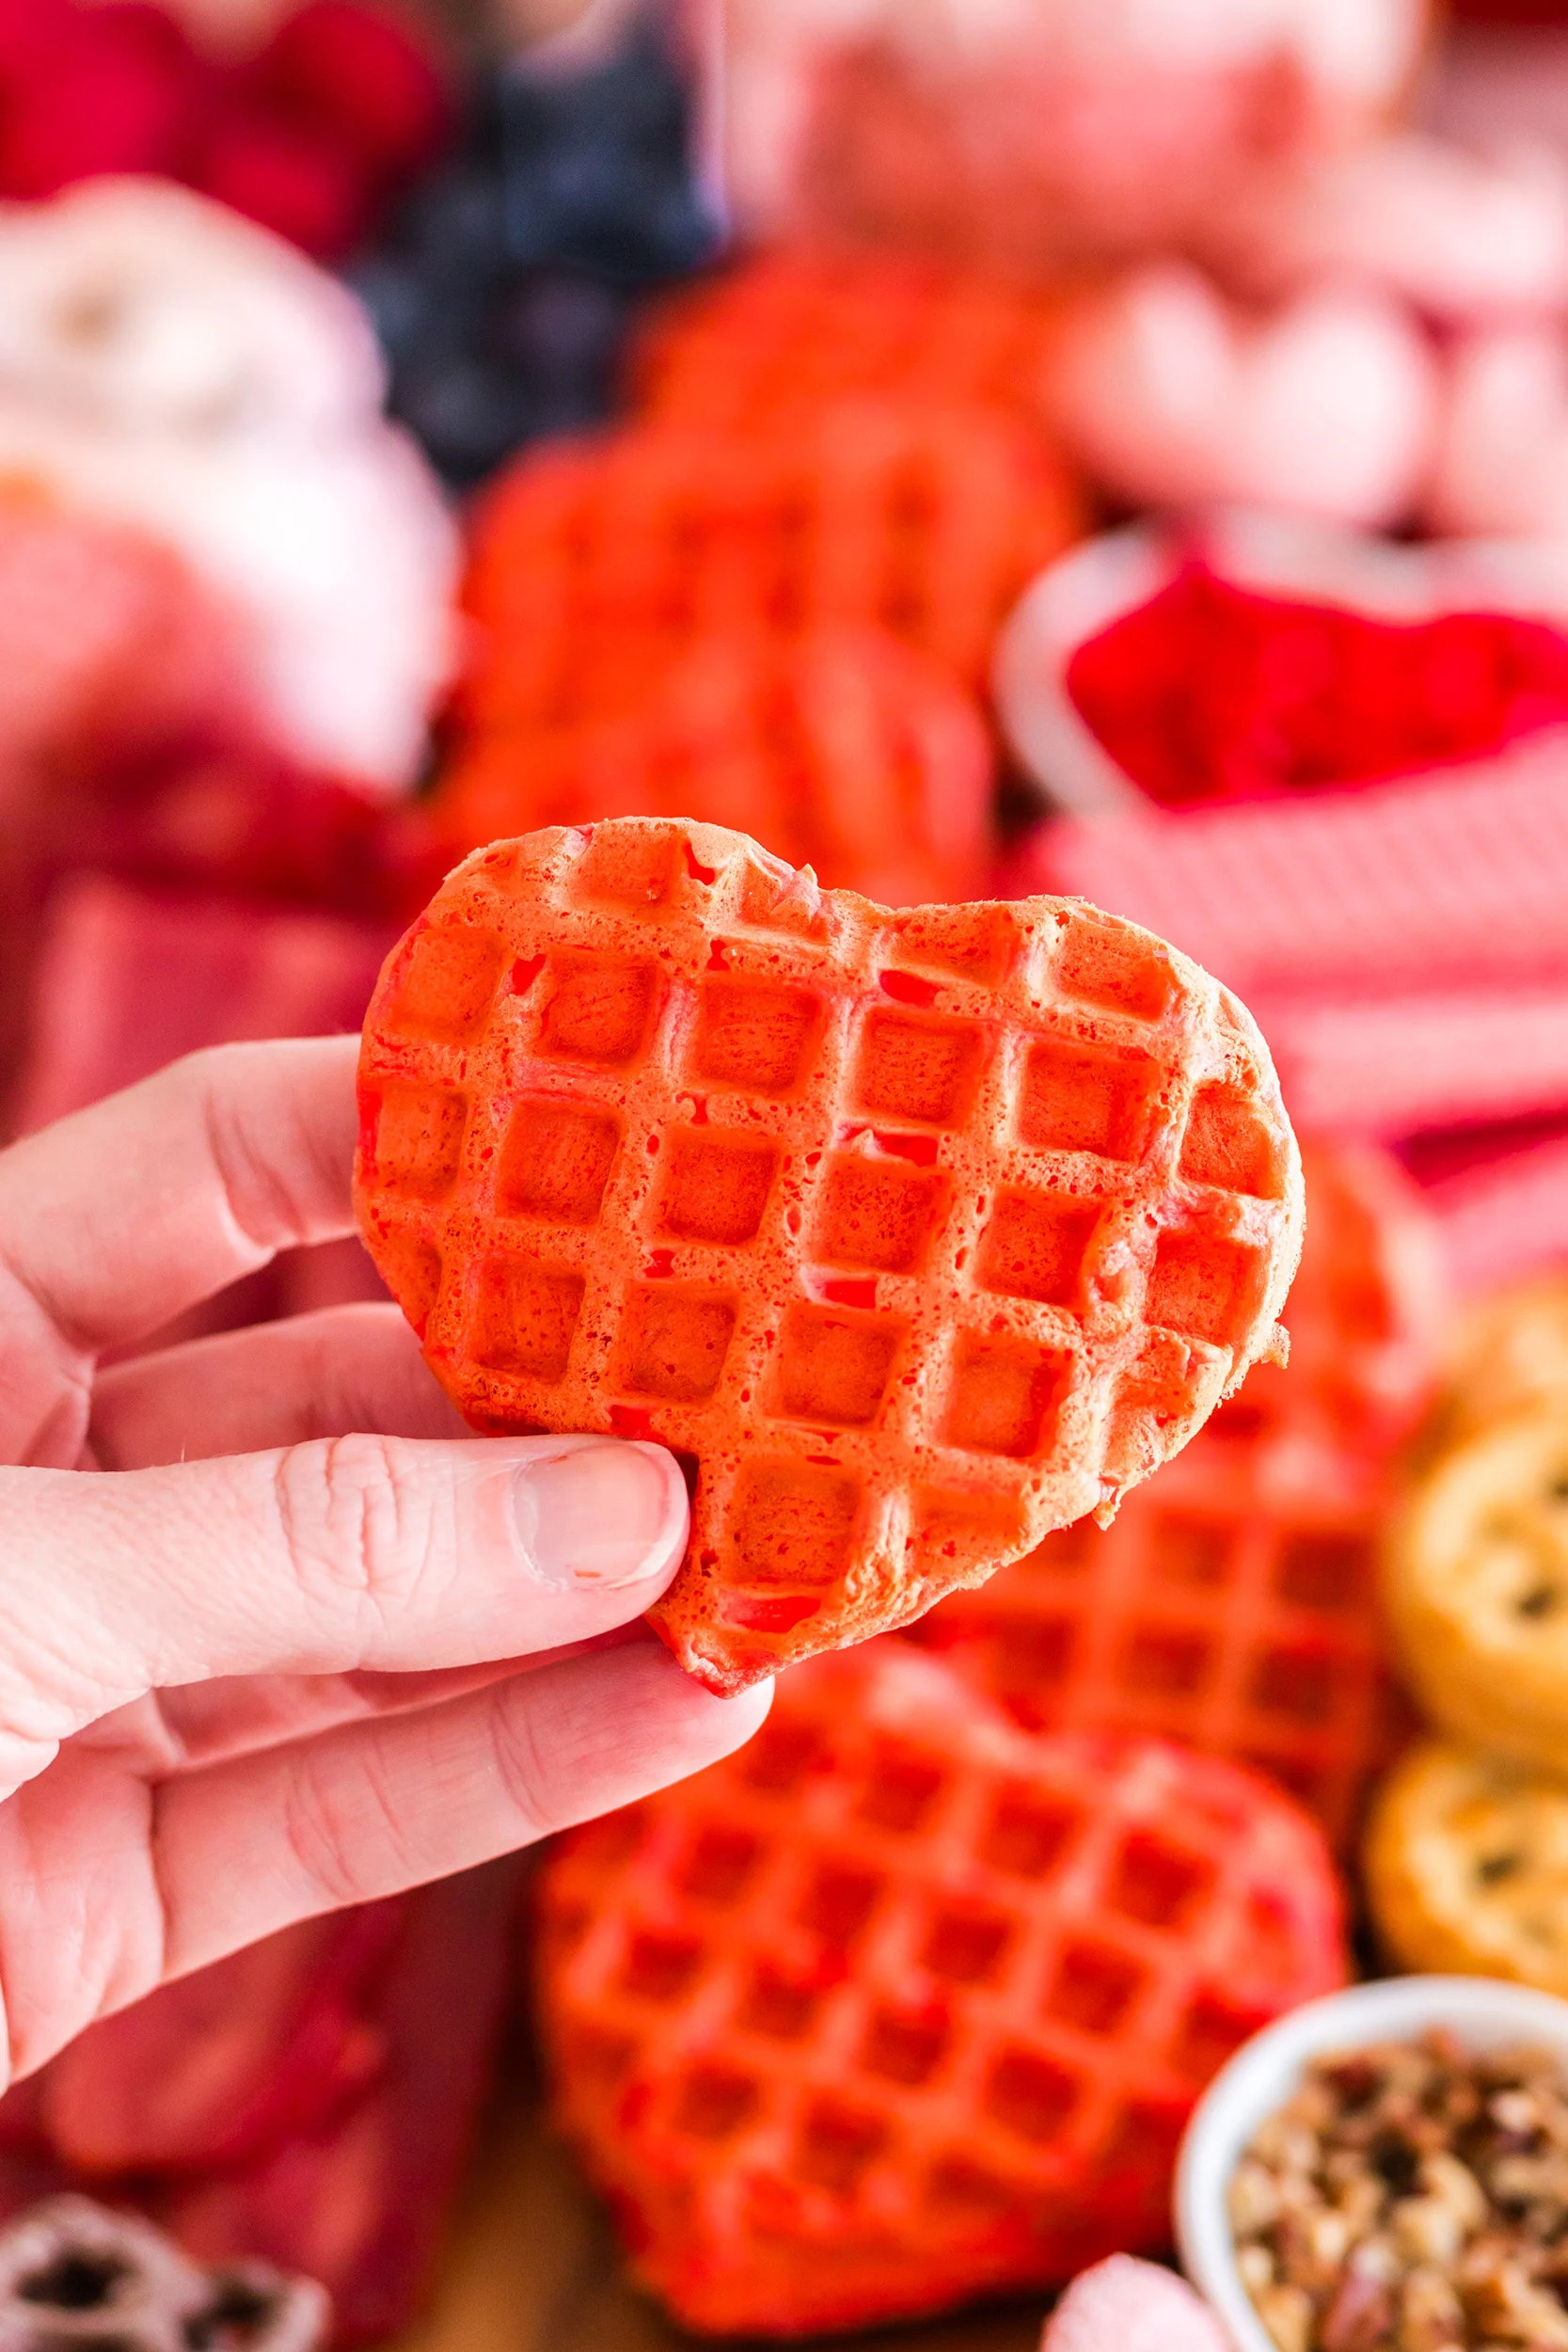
(107, 95)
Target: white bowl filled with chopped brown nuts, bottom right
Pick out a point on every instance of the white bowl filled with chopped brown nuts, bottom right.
(1388, 2167)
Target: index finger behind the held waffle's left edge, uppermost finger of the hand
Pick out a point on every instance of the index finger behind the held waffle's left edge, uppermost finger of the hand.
(140, 1208)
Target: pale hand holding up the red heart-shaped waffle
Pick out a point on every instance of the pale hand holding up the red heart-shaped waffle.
(276, 1633)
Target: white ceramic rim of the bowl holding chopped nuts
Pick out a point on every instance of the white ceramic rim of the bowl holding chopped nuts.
(1264, 2076)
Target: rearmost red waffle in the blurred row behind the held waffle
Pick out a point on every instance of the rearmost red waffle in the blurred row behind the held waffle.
(793, 330)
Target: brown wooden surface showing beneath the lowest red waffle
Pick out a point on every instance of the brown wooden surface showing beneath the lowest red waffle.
(532, 2266)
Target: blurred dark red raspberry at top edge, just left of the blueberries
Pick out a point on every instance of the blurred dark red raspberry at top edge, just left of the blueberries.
(363, 79)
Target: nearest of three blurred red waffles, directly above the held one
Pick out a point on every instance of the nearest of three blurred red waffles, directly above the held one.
(843, 751)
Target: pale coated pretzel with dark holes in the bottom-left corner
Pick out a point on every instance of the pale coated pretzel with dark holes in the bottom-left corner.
(76, 2276)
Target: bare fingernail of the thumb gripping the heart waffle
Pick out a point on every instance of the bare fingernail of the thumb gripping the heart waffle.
(605, 1514)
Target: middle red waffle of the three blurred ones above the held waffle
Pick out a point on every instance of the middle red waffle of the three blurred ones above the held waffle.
(911, 516)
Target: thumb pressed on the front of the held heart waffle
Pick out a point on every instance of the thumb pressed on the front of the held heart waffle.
(314, 1561)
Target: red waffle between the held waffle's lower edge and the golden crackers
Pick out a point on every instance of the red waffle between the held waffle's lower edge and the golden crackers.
(1233, 1608)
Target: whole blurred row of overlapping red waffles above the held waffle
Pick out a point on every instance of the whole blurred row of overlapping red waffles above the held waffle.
(770, 601)
